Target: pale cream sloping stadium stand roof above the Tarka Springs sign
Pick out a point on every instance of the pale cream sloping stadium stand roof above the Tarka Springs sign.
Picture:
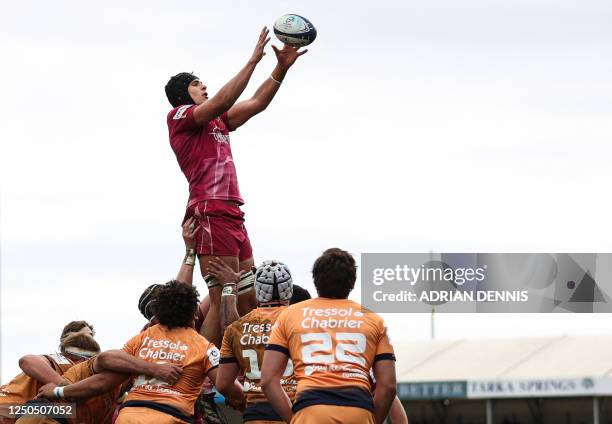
(504, 359)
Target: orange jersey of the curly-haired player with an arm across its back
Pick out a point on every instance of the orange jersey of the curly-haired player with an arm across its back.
(182, 346)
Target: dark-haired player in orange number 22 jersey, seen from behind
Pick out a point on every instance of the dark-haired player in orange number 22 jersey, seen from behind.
(333, 343)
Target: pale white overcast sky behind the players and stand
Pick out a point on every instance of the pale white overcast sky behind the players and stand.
(473, 126)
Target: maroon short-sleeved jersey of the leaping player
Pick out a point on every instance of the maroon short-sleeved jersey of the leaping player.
(204, 155)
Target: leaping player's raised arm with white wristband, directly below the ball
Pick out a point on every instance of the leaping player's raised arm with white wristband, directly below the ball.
(243, 111)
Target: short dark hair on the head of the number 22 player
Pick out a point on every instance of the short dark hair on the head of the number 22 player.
(334, 273)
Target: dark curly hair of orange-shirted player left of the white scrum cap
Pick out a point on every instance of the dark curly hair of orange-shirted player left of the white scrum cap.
(175, 304)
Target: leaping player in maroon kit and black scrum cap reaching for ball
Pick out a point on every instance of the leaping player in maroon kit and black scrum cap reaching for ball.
(199, 129)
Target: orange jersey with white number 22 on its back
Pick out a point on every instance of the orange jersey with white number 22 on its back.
(333, 344)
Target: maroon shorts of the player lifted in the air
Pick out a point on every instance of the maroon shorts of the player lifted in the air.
(222, 230)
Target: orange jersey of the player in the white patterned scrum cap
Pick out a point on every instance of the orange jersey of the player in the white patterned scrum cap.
(244, 343)
